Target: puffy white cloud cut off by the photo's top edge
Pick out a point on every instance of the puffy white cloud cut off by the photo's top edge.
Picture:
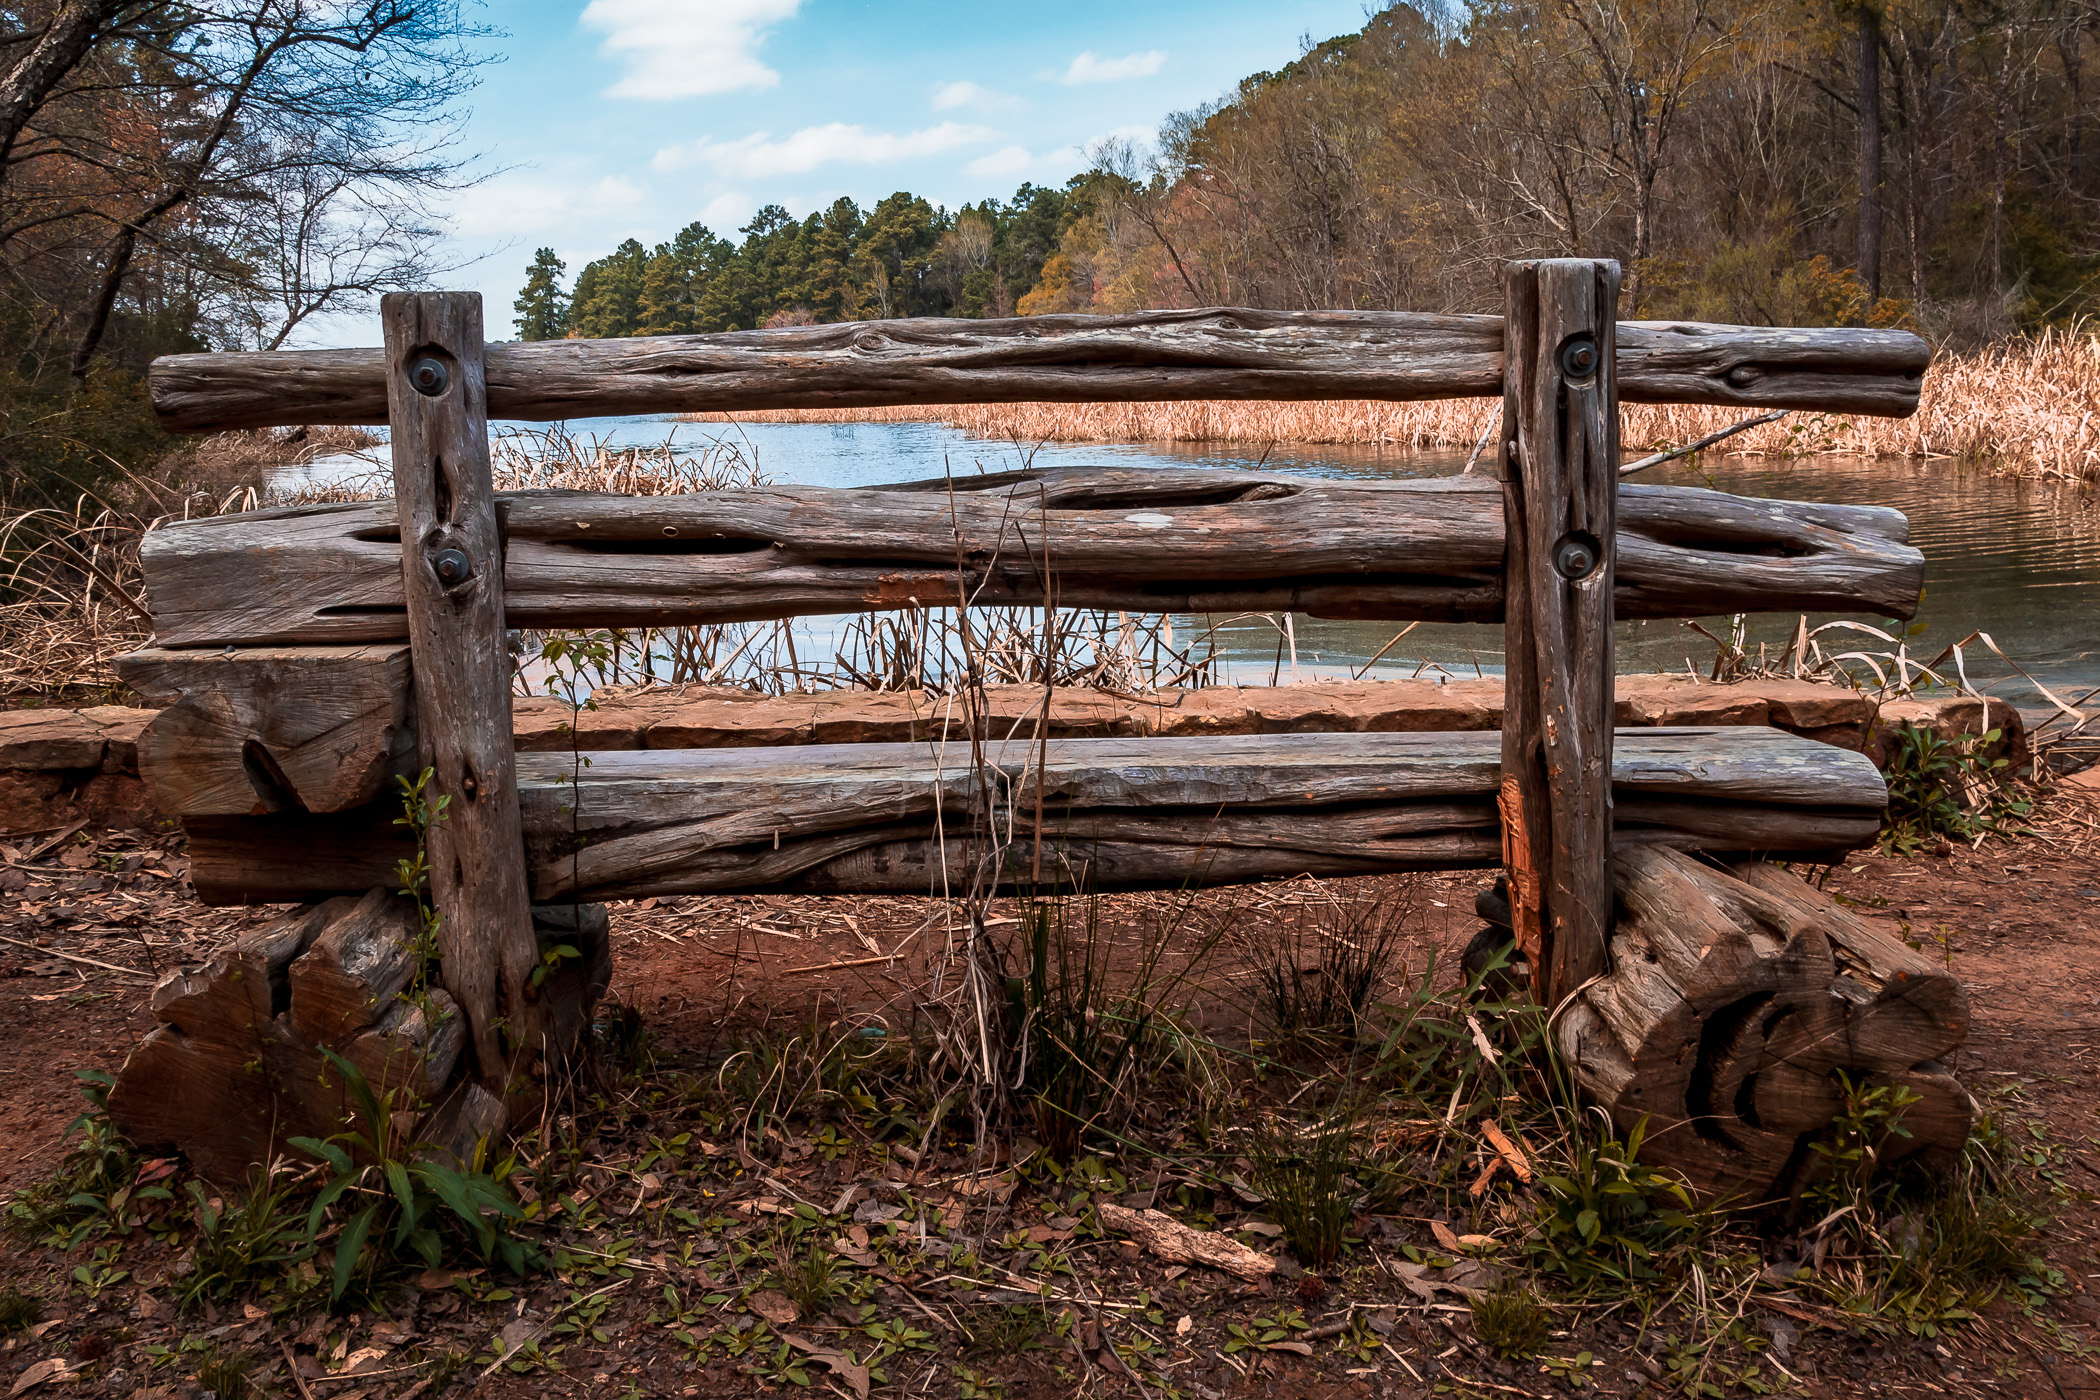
(688, 47)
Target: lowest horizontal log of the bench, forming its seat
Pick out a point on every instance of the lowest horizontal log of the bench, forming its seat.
(1135, 811)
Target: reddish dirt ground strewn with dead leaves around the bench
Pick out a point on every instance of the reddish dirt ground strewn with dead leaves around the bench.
(89, 920)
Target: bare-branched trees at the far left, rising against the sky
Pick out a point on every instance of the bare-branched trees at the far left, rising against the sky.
(184, 175)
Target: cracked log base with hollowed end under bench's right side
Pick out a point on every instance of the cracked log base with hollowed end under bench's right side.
(1734, 1006)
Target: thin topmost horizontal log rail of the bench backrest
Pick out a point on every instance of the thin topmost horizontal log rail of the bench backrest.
(1204, 354)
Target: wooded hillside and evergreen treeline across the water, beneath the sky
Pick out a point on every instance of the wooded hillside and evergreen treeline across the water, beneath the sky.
(1925, 163)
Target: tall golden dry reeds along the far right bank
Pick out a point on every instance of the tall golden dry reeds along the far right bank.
(2028, 408)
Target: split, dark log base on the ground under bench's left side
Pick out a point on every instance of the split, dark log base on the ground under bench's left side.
(238, 1063)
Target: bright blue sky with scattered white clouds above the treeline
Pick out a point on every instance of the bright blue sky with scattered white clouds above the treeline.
(631, 119)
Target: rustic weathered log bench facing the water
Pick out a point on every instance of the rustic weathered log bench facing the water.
(322, 652)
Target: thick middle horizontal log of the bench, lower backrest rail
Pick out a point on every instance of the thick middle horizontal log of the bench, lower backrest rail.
(1150, 543)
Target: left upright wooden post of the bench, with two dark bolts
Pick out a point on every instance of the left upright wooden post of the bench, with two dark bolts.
(455, 580)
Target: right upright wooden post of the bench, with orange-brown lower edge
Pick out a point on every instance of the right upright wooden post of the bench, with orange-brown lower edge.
(1561, 484)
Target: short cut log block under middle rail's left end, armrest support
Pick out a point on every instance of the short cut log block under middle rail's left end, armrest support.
(316, 729)
